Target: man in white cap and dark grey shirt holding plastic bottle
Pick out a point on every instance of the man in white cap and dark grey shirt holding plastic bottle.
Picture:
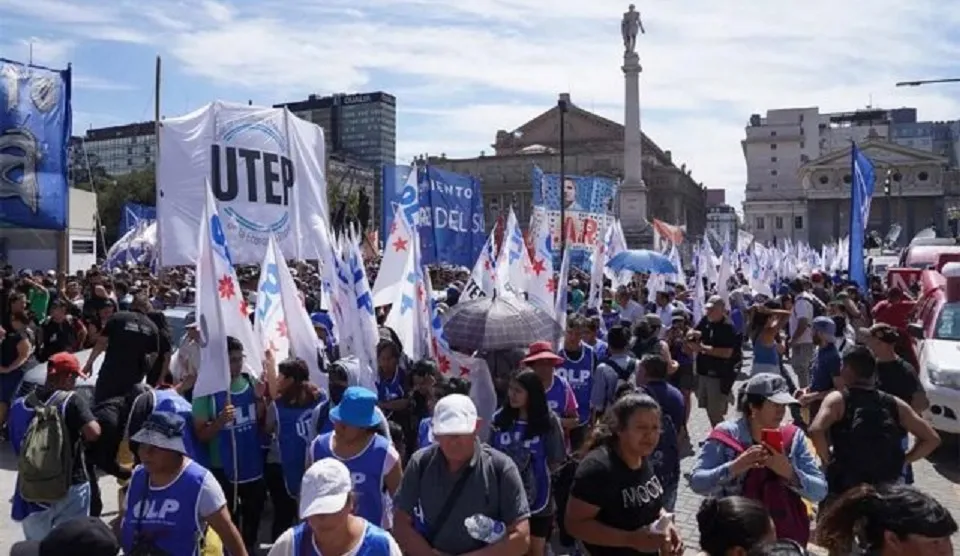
(459, 496)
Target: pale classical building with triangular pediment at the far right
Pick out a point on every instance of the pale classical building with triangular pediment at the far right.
(913, 188)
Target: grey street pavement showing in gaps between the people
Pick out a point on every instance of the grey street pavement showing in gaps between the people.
(939, 476)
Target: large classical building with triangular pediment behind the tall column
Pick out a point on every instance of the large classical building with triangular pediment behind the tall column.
(593, 146)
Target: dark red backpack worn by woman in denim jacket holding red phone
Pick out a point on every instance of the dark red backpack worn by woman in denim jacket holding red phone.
(787, 508)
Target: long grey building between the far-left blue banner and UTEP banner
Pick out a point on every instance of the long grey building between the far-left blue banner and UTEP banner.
(118, 150)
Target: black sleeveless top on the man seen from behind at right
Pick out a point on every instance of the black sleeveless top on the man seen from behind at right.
(868, 445)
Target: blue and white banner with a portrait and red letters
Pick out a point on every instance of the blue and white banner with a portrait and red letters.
(587, 204)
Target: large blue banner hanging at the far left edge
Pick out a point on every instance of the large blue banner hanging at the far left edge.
(34, 135)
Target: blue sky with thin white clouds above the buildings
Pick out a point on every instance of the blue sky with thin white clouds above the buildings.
(462, 70)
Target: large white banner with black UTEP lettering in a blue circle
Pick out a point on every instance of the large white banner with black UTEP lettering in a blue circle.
(265, 168)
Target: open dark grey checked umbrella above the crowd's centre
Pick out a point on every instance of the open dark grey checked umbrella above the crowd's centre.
(497, 323)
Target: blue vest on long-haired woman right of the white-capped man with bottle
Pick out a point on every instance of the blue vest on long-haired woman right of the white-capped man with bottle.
(530, 455)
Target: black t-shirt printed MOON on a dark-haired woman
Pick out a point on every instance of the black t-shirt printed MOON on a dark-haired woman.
(629, 499)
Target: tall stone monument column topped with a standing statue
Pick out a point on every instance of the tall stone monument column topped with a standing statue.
(633, 191)
